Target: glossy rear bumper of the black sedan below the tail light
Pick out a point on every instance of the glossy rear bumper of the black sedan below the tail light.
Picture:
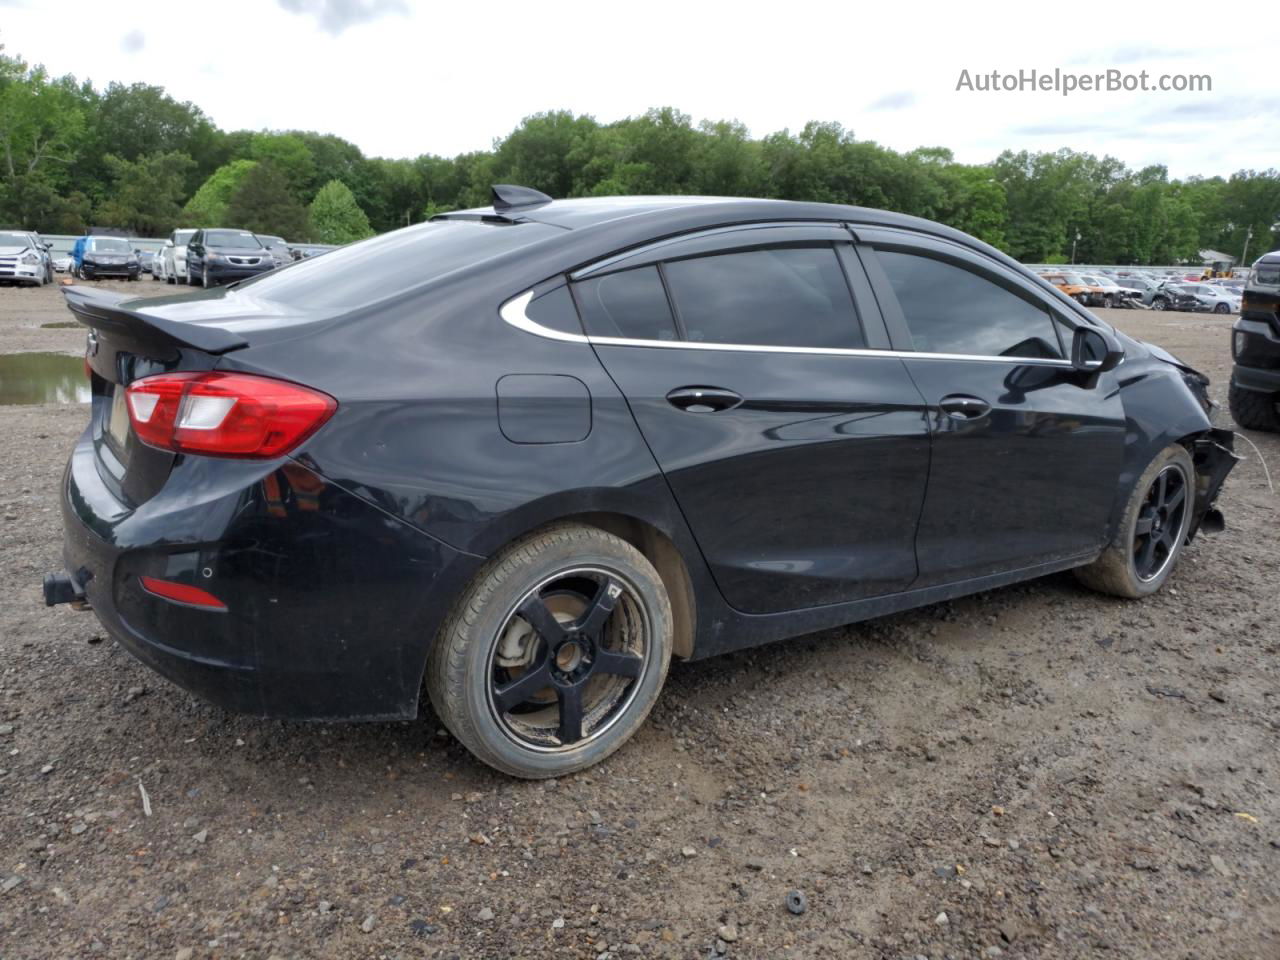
(332, 605)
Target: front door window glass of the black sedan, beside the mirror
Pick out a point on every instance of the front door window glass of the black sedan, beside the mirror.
(953, 310)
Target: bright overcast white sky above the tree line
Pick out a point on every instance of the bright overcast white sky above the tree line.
(408, 77)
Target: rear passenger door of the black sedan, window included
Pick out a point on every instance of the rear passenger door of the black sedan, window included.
(796, 445)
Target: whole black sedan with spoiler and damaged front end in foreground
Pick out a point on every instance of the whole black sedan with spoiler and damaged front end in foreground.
(524, 456)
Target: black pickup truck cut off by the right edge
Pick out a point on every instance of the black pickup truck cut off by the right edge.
(1256, 349)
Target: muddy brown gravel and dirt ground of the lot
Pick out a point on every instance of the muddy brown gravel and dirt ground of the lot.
(1034, 772)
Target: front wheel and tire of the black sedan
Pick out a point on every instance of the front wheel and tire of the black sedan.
(1153, 531)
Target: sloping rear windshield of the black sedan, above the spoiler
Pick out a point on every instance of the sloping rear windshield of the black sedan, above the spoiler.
(392, 263)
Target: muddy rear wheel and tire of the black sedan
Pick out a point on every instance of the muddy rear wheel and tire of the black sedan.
(555, 655)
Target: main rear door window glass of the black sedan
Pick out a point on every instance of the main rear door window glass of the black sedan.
(780, 296)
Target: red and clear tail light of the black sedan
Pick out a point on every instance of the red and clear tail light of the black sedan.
(226, 415)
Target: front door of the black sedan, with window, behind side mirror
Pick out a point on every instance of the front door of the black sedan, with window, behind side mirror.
(1027, 451)
